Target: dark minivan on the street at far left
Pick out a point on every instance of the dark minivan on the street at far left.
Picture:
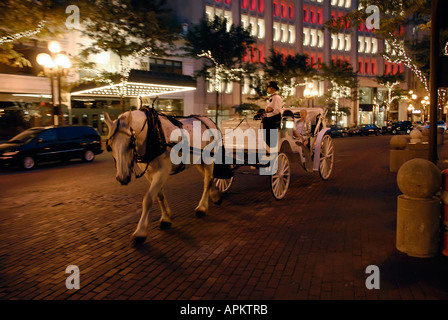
(42, 144)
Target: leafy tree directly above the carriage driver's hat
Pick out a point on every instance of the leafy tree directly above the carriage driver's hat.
(288, 71)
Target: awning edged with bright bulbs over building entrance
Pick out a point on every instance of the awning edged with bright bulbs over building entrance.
(140, 84)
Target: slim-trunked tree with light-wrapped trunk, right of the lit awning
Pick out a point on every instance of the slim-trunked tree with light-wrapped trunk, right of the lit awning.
(223, 47)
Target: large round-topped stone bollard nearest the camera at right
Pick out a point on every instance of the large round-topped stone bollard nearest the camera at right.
(418, 209)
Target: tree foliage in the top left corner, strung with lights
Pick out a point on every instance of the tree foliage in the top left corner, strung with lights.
(25, 19)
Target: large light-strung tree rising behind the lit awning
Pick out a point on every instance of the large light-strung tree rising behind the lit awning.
(129, 29)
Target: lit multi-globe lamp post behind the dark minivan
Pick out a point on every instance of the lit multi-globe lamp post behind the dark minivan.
(55, 65)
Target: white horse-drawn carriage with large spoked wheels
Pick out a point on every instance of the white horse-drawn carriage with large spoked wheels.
(314, 151)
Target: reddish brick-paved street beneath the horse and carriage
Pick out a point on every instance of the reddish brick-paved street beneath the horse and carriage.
(315, 244)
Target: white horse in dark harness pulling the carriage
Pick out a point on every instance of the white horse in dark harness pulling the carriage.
(127, 140)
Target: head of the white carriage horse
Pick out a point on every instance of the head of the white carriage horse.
(121, 142)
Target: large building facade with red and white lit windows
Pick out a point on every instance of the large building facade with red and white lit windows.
(297, 26)
